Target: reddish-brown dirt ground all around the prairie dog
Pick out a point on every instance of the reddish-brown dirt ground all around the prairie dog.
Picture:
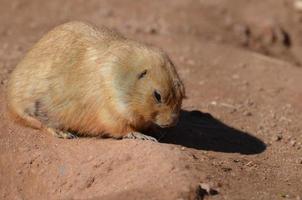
(240, 132)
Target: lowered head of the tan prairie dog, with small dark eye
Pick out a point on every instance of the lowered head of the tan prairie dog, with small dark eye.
(150, 88)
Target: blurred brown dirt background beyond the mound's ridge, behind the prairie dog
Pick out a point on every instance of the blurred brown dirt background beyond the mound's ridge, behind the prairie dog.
(270, 27)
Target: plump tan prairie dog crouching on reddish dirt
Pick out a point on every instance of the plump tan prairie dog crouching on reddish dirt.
(94, 82)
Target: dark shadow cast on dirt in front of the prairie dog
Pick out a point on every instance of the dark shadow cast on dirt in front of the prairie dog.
(202, 131)
